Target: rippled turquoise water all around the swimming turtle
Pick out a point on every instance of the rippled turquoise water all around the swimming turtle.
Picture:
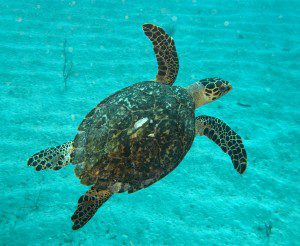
(253, 44)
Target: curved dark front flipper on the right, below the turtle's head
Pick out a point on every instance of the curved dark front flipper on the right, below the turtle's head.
(229, 141)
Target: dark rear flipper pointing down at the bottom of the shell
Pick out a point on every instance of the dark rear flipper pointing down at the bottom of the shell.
(88, 205)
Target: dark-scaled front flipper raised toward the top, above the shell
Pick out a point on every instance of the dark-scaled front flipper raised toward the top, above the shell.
(165, 51)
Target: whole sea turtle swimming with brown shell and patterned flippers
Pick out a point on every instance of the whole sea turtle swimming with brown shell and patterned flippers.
(138, 135)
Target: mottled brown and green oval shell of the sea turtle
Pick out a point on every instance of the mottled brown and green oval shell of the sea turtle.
(134, 137)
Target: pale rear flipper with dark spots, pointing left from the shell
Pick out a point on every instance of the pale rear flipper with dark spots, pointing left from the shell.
(53, 158)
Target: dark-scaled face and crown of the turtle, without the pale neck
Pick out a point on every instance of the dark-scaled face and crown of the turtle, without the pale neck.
(214, 88)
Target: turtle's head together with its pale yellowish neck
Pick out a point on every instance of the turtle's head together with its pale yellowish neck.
(208, 90)
